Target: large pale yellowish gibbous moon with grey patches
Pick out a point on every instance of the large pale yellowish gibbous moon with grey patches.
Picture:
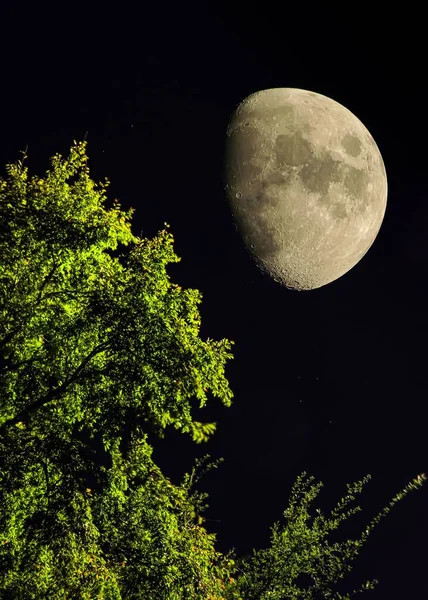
(306, 185)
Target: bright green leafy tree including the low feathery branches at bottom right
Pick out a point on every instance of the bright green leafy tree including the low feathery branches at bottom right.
(89, 344)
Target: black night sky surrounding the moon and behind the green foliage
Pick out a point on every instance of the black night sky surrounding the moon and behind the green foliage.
(331, 381)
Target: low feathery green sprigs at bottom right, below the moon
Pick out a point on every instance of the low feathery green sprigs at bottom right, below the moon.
(300, 549)
